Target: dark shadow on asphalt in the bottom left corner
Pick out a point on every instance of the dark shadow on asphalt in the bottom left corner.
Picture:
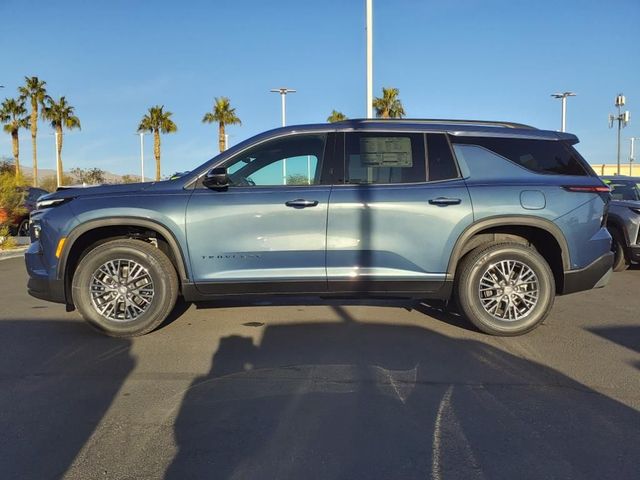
(56, 383)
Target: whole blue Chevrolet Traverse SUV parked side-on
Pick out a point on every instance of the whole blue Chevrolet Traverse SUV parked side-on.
(494, 217)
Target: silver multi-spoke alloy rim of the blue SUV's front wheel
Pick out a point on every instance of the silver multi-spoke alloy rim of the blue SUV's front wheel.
(121, 290)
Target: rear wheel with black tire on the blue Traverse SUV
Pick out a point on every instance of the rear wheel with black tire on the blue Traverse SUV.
(479, 262)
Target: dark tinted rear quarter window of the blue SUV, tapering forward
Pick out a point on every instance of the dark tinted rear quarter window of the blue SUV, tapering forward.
(552, 157)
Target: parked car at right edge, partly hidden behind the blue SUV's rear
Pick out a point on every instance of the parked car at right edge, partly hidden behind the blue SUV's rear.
(624, 220)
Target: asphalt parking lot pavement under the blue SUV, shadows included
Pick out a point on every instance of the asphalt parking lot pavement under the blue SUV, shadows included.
(326, 392)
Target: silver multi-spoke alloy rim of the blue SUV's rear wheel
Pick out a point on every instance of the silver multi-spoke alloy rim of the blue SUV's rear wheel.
(509, 290)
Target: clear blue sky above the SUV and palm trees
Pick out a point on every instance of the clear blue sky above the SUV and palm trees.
(496, 60)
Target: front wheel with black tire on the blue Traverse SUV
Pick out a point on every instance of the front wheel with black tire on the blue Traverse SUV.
(159, 277)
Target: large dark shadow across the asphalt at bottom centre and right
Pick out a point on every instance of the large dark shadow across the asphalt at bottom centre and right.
(352, 399)
